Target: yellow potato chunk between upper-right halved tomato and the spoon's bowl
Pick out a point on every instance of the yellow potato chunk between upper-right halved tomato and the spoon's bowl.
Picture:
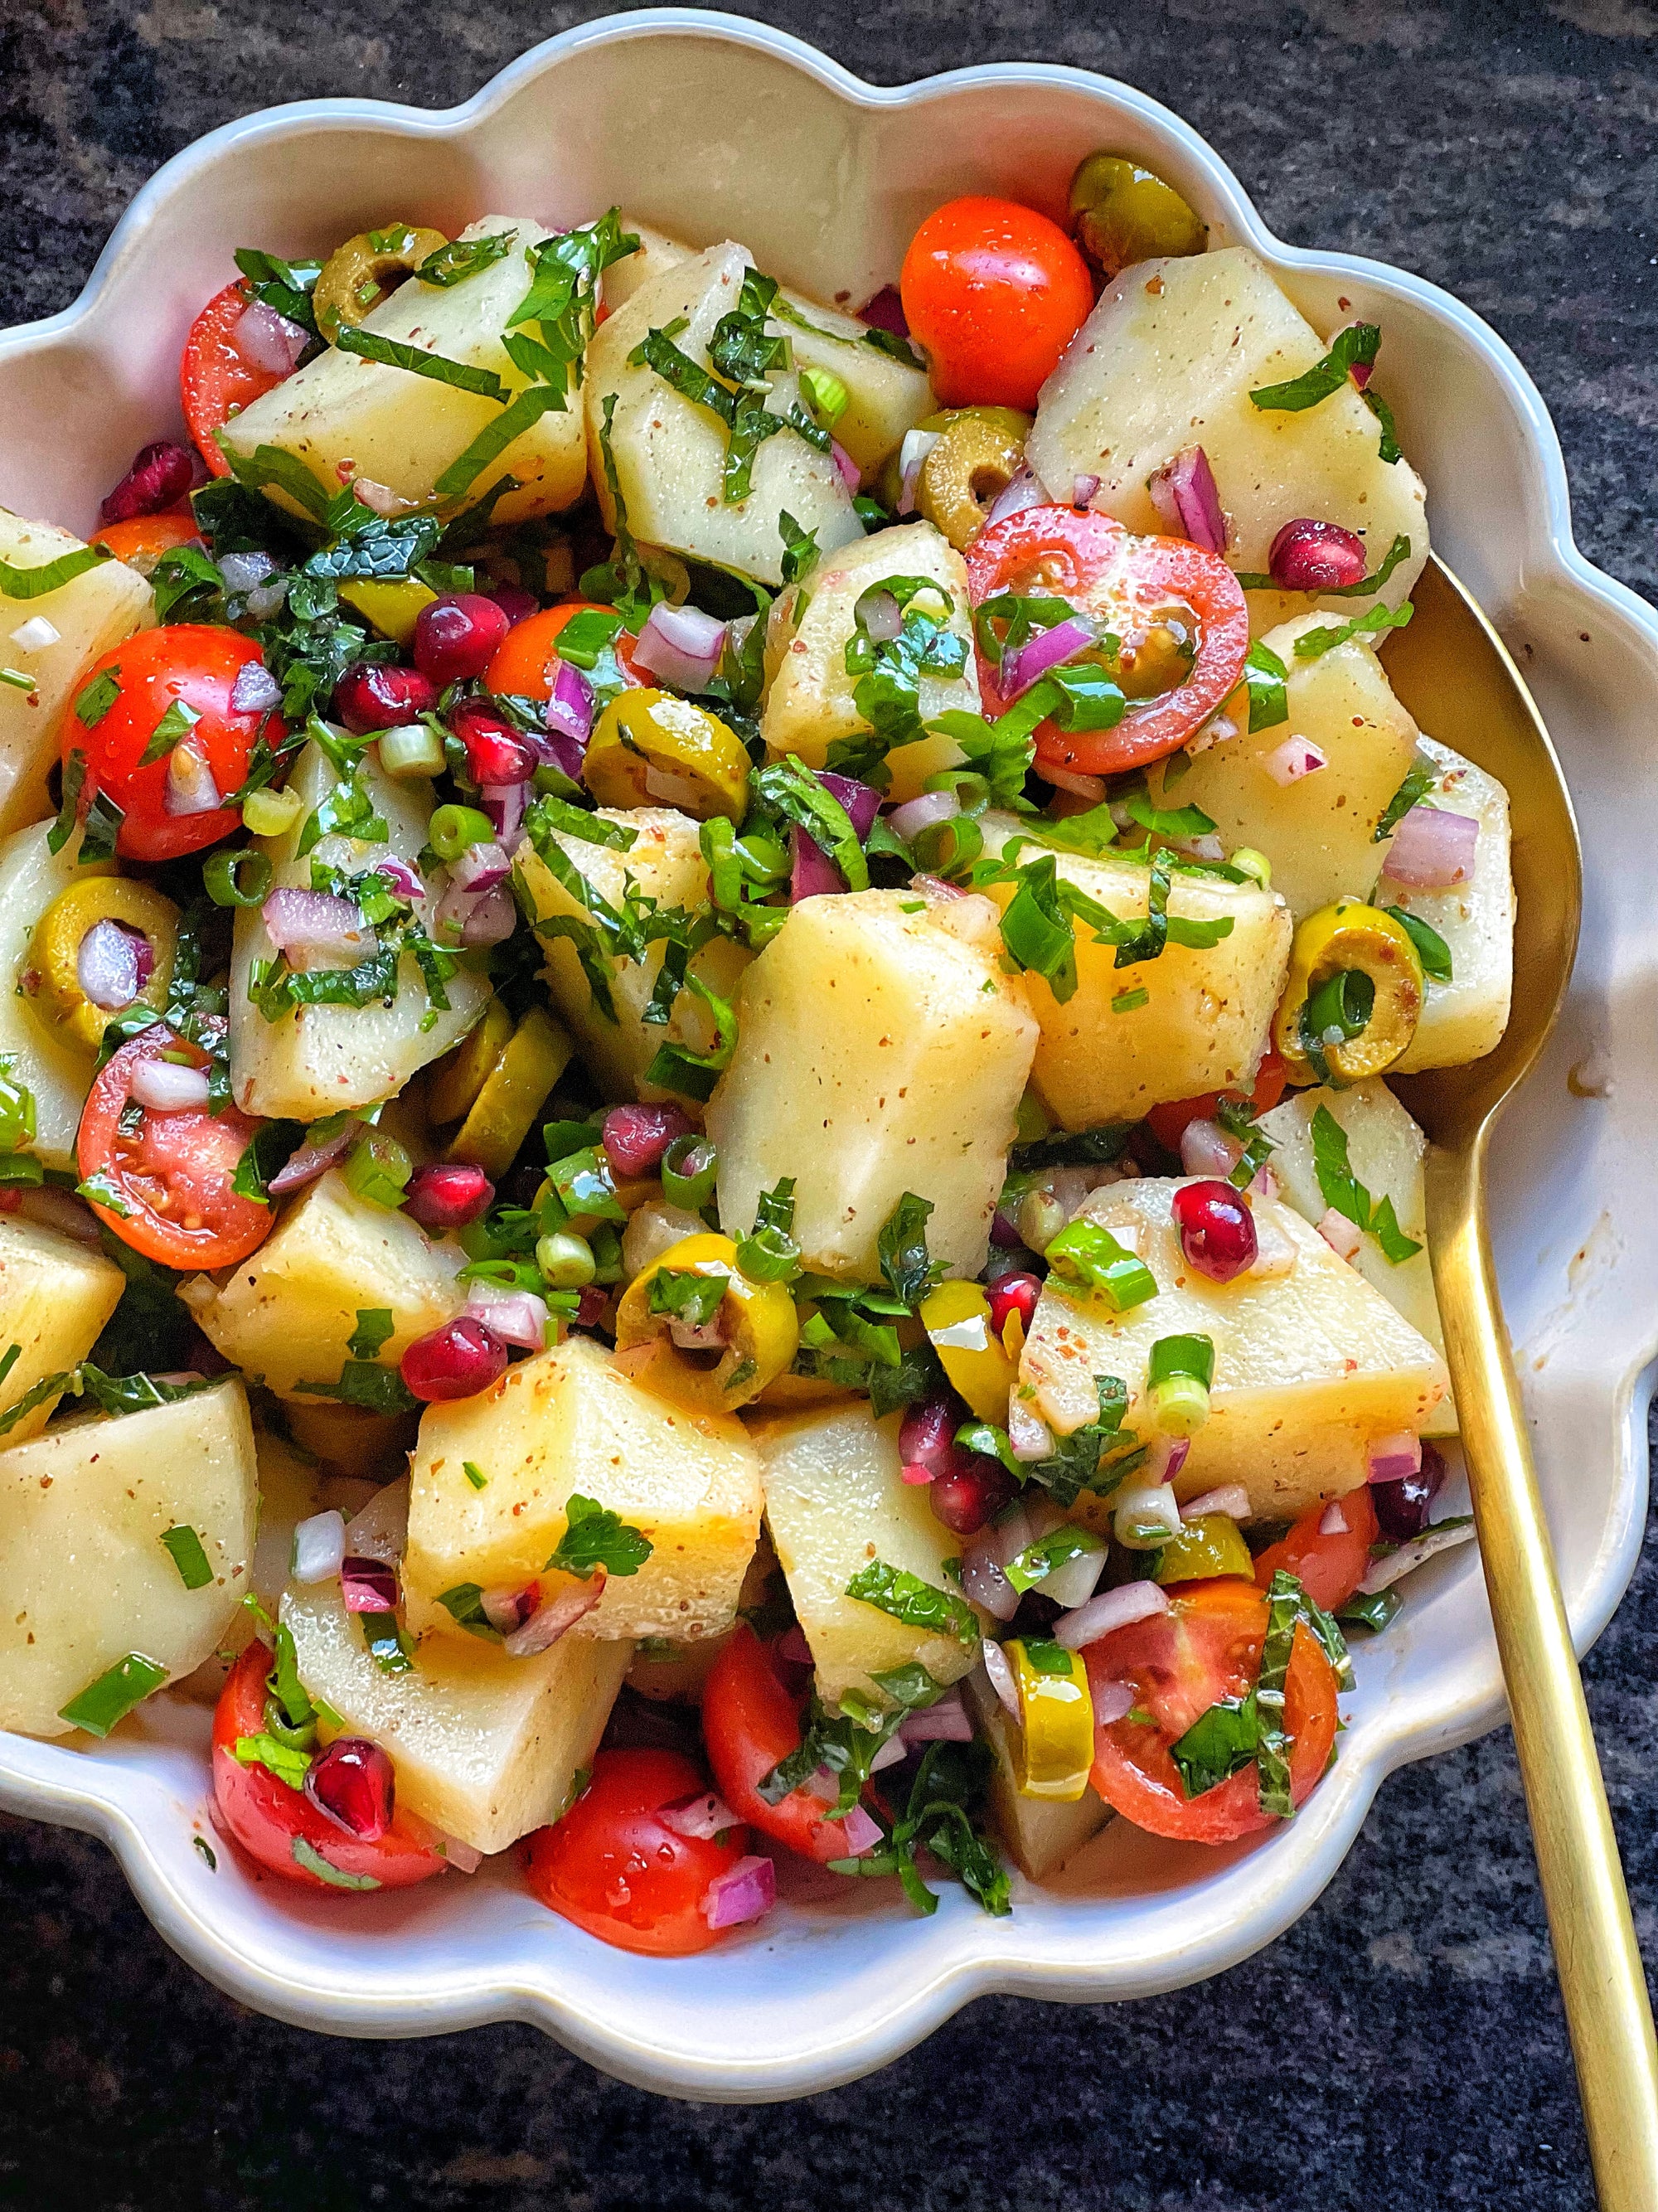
(1321, 831)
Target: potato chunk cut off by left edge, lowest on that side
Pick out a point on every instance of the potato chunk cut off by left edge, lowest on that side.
(85, 1578)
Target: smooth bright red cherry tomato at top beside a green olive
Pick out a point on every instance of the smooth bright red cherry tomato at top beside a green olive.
(994, 293)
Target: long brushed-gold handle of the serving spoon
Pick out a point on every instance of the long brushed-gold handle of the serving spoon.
(1577, 1855)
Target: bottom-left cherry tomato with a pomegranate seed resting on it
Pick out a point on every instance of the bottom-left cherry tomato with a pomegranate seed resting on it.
(269, 1819)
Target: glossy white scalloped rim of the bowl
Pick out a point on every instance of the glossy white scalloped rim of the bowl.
(52, 1784)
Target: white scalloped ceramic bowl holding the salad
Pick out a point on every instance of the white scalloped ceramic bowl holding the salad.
(715, 127)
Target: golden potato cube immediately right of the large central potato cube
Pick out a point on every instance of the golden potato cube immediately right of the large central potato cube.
(1206, 1014)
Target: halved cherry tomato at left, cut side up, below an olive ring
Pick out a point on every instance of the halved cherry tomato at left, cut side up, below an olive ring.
(174, 1178)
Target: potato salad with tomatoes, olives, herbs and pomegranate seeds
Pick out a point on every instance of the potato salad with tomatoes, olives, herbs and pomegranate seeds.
(700, 1176)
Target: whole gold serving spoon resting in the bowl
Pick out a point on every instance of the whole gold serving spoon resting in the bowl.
(1451, 656)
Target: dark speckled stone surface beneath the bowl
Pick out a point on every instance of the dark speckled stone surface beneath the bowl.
(1403, 2045)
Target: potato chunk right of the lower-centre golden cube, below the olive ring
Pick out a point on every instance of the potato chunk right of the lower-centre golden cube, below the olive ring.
(835, 1503)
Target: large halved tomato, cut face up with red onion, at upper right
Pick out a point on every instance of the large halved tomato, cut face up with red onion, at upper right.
(1131, 585)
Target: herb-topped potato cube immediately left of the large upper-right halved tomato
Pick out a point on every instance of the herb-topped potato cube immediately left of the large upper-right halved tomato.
(810, 696)
